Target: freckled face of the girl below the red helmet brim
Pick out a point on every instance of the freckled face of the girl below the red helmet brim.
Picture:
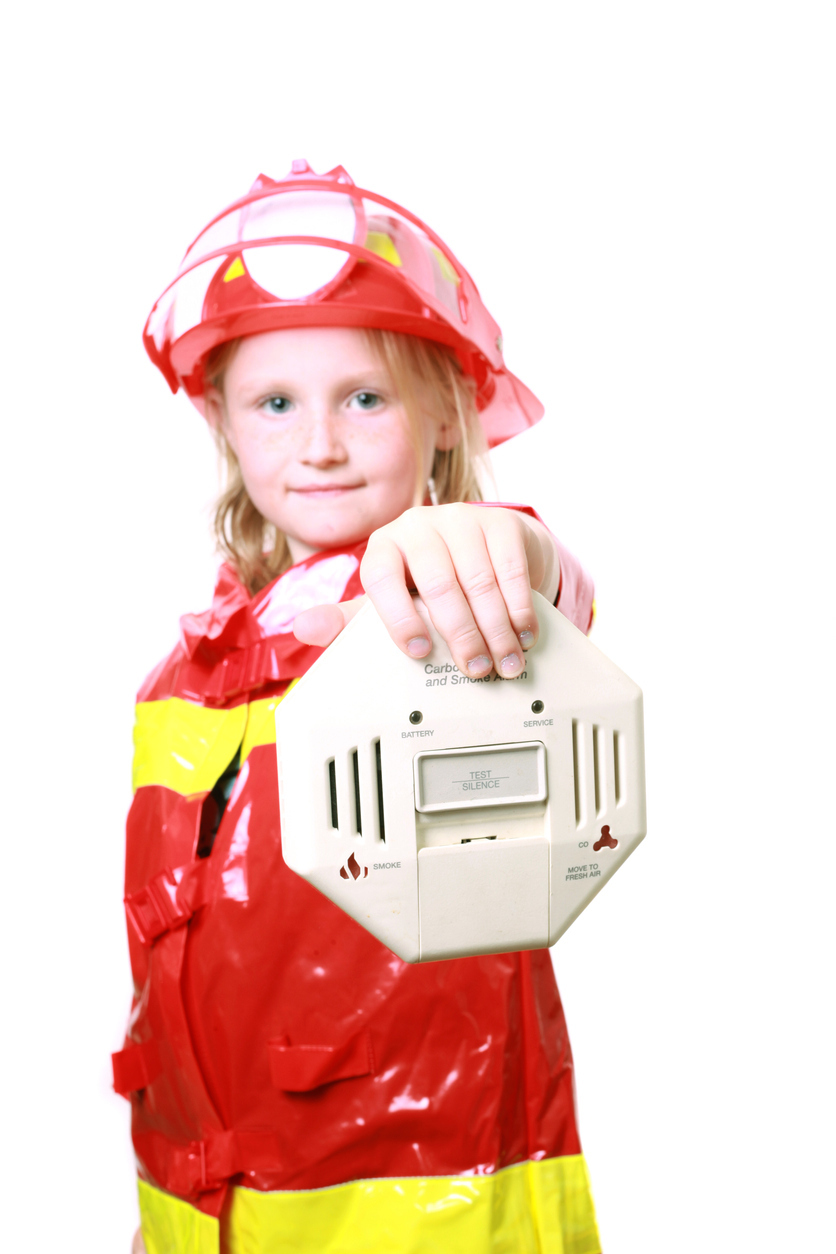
(324, 443)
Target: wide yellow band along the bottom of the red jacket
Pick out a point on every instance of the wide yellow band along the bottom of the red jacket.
(532, 1208)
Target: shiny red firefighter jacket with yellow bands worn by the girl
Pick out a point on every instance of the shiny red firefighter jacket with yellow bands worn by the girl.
(275, 1045)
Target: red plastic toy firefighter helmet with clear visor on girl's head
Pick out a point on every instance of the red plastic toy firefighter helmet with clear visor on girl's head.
(315, 250)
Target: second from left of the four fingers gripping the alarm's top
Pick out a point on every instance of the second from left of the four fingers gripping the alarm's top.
(436, 579)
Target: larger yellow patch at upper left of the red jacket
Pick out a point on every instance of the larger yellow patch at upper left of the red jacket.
(185, 747)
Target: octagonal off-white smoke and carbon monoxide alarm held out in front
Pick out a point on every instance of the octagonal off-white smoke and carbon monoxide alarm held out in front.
(484, 828)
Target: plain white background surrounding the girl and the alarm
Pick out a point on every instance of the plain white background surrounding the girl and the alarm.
(645, 195)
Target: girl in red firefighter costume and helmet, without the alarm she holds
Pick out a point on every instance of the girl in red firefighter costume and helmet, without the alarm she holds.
(294, 1085)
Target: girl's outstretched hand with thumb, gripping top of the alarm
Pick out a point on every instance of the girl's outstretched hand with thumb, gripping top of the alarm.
(474, 570)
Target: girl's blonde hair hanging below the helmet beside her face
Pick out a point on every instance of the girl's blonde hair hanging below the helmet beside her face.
(427, 379)
